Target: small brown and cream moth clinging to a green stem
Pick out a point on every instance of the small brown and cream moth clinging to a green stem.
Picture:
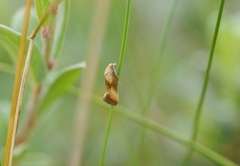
(111, 94)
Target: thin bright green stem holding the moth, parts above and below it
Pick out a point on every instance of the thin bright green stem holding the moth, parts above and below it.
(120, 63)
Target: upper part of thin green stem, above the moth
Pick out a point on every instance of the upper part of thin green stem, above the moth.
(124, 39)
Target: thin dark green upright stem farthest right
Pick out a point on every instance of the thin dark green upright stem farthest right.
(204, 88)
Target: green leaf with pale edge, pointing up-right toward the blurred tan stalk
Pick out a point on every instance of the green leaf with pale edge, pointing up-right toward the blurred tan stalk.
(60, 84)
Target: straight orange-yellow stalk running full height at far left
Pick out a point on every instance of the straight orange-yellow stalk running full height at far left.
(13, 121)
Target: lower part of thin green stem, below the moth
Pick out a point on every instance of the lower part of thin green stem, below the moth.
(106, 136)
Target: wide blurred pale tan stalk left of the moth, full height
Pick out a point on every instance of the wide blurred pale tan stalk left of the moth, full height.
(88, 79)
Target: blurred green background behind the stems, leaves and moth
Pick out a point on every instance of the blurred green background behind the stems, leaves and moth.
(176, 96)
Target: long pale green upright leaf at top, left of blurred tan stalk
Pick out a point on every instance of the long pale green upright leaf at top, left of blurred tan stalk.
(61, 27)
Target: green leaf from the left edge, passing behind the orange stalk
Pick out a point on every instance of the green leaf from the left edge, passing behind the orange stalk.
(10, 39)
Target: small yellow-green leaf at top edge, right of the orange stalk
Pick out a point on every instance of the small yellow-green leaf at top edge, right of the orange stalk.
(41, 6)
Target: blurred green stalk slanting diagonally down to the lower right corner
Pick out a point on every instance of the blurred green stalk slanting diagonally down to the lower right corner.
(158, 128)
